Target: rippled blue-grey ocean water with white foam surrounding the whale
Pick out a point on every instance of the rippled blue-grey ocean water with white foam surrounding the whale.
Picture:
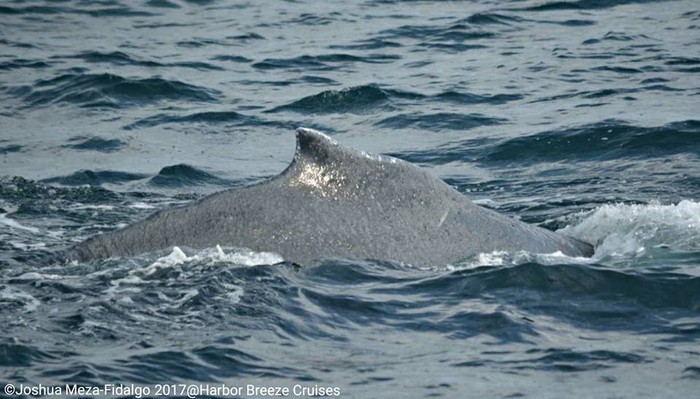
(579, 116)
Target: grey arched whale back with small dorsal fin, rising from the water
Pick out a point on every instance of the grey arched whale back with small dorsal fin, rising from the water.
(336, 202)
